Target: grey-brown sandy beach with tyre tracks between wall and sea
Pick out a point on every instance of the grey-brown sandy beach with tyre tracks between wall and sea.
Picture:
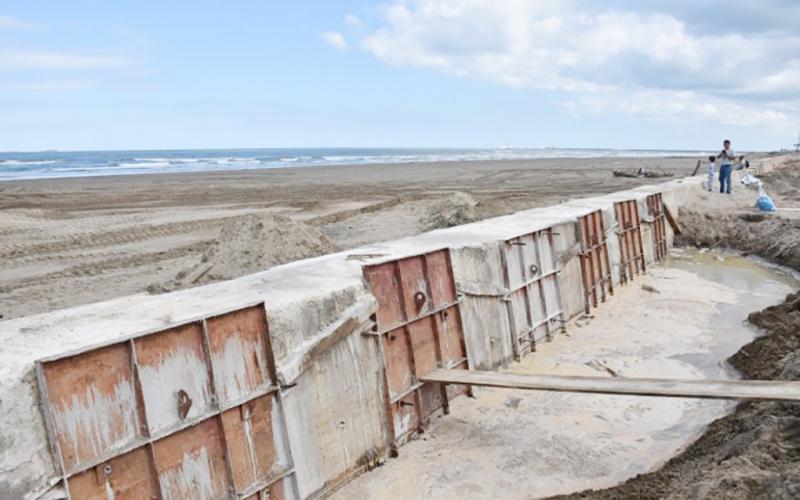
(65, 242)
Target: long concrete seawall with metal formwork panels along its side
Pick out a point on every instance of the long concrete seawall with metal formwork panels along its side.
(289, 382)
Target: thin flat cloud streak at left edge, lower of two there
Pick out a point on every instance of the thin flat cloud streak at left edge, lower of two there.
(16, 60)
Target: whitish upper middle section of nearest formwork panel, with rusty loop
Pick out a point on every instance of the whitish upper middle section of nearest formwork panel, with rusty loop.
(174, 377)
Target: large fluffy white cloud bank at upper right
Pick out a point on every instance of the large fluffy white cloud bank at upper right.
(648, 63)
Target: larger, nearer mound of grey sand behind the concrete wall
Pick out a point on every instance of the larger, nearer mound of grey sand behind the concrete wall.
(249, 245)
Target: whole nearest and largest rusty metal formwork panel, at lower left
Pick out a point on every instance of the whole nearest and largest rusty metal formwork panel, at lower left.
(192, 411)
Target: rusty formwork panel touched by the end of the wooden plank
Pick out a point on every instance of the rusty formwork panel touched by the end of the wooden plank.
(419, 330)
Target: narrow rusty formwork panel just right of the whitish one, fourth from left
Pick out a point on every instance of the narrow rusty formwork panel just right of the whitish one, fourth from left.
(595, 265)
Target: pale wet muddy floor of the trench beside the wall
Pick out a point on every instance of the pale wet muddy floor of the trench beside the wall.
(528, 444)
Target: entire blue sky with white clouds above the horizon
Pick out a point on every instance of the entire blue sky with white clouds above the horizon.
(100, 75)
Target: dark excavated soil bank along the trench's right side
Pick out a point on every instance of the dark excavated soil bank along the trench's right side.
(754, 452)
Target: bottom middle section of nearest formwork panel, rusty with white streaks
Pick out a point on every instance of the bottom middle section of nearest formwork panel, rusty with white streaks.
(192, 463)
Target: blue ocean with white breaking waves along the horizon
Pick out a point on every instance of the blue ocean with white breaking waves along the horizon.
(54, 164)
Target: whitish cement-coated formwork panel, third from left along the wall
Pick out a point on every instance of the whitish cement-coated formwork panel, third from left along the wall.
(533, 302)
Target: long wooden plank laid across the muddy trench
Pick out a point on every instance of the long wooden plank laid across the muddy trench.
(758, 390)
